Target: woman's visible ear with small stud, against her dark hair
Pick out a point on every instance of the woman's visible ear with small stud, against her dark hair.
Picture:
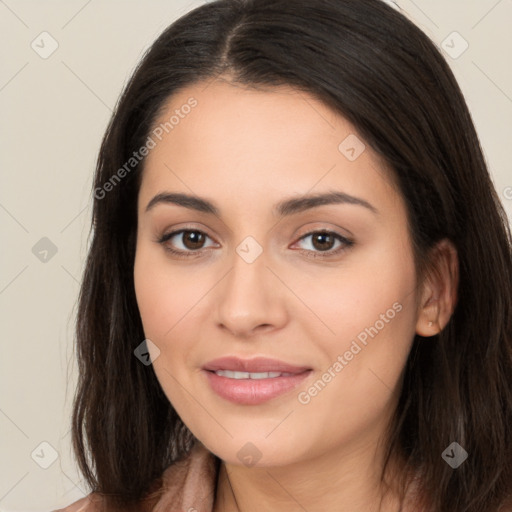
(439, 290)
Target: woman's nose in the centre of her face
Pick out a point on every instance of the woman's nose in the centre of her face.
(251, 299)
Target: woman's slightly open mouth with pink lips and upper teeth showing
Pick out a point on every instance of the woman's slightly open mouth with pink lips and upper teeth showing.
(254, 381)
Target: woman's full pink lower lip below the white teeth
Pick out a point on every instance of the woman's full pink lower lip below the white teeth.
(253, 391)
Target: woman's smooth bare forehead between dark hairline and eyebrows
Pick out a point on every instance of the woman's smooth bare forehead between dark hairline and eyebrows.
(216, 136)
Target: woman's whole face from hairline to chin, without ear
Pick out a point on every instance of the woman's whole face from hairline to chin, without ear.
(329, 289)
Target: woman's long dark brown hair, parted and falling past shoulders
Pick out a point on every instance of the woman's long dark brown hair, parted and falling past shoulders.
(373, 66)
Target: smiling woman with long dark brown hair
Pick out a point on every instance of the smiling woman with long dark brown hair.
(298, 292)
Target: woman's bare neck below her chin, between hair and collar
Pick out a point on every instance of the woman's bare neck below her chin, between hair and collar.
(335, 482)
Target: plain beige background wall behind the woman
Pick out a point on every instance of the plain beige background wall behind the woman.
(54, 112)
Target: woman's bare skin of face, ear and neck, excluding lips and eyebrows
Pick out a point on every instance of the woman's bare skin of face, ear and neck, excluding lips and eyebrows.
(246, 150)
